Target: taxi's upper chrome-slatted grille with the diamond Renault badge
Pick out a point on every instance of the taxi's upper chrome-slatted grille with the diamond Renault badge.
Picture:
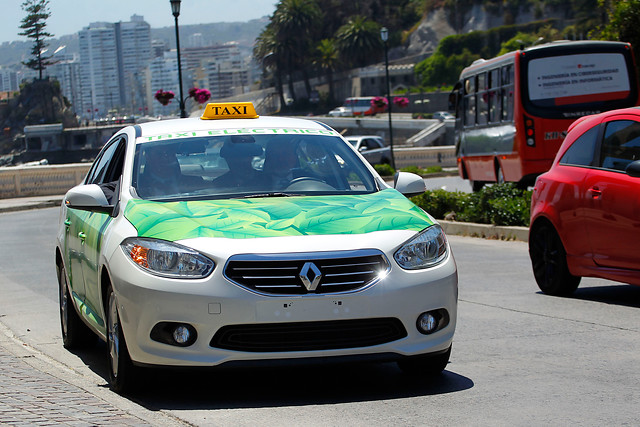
(298, 274)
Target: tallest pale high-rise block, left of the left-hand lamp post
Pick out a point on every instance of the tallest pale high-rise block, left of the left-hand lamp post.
(113, 57)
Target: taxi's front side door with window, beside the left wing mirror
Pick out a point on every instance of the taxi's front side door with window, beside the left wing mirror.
(94, 224)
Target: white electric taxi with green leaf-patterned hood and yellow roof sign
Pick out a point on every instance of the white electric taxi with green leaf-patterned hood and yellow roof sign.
(238, 238)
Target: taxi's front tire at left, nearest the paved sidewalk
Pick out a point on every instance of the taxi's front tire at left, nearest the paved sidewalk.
(121, 369)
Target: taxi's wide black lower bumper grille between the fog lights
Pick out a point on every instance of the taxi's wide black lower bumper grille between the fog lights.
(308, 336)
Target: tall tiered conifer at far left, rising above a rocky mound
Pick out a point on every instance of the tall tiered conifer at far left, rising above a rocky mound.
(34, 26)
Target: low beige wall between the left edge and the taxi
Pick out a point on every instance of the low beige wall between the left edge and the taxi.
(26, 181)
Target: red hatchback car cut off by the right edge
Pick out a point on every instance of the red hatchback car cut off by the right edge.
(585, 211)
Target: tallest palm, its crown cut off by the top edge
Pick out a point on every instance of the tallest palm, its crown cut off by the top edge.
(296, 22)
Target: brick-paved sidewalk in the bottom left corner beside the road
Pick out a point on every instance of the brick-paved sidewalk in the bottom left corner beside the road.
(30, 396)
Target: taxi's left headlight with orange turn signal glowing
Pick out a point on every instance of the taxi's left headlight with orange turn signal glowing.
(167, 259)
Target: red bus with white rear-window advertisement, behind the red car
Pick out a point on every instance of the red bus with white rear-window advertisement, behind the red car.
(513, 111)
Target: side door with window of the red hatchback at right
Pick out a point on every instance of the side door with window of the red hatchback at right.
(612, 198)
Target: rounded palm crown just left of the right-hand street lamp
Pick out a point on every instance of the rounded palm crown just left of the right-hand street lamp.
(359, 41)
